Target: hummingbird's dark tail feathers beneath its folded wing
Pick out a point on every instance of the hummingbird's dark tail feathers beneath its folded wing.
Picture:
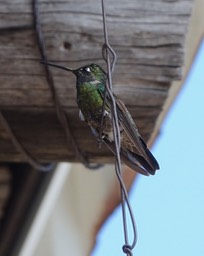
(134, 161)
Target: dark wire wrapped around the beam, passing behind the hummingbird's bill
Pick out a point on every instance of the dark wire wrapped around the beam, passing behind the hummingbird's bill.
(60, 113)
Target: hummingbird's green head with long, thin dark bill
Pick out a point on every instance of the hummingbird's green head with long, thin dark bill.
(88, 73)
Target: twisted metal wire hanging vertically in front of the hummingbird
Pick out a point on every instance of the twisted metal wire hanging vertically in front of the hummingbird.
(108, 52)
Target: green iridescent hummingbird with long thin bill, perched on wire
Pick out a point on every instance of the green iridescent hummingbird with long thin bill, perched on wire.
(90, 84)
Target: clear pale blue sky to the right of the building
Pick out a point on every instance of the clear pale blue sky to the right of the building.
(169, 207)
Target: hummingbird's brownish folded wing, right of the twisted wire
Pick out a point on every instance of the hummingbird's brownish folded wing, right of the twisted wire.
(136, 148)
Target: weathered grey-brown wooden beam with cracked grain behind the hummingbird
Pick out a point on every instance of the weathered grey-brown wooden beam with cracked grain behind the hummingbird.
(148, 37)
